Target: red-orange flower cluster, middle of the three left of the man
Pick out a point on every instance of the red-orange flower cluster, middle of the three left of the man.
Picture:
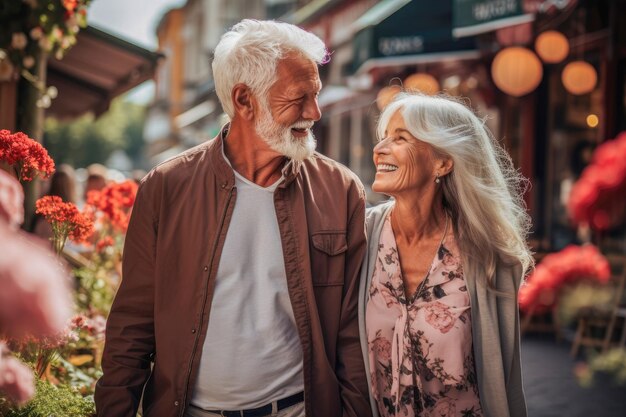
(66, 221)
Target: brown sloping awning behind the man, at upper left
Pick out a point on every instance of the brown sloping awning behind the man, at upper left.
(93, 72)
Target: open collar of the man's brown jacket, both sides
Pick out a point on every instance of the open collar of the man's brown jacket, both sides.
(224, 172)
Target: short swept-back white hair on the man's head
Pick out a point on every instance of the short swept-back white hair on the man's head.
(249, 53)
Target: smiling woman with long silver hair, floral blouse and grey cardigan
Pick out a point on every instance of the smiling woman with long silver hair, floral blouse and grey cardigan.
(438, 293)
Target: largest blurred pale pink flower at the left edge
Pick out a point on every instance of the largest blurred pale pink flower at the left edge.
(35, 298)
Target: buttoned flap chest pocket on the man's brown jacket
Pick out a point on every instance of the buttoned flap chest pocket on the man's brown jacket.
(328, 257)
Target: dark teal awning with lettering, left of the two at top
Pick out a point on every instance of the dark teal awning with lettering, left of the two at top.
(405, 28)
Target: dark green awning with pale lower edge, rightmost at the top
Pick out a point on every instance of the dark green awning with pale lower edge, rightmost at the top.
(472, 17)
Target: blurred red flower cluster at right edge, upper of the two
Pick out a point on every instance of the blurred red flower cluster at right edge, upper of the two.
(594, 199)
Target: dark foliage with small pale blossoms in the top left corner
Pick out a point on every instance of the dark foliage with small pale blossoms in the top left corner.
(33, 25)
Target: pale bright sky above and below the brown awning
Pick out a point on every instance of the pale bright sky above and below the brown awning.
(135, 21)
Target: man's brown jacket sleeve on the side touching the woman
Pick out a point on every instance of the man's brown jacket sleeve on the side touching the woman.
(350, 369)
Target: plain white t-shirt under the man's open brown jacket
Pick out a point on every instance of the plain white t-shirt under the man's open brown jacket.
(252, 353)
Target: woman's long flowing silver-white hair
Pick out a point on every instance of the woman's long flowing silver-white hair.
(483, 192)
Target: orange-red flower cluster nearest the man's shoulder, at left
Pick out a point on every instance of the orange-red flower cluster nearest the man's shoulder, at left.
(114, 202)
